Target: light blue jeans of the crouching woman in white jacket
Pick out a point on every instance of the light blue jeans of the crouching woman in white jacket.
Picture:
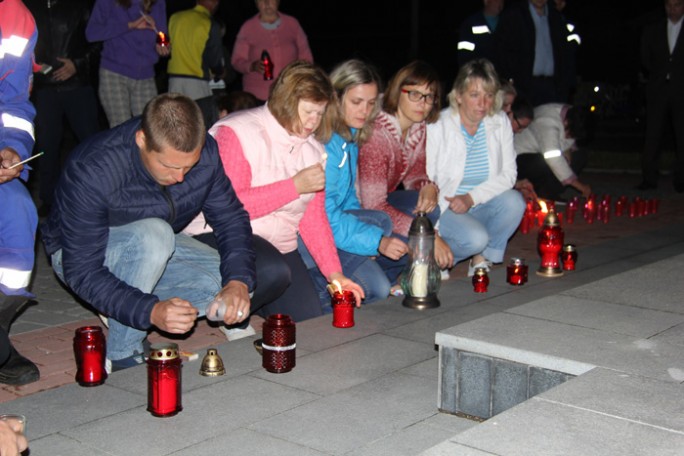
(484, 229)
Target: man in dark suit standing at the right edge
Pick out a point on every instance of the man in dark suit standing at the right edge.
(662, 55)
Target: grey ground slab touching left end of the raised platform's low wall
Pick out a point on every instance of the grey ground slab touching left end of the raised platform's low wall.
(357, 417)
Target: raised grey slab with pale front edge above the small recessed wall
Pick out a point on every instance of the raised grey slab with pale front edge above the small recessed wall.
(564, 348)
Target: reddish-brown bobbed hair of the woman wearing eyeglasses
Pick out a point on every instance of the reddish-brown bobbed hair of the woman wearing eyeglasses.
(415, 73)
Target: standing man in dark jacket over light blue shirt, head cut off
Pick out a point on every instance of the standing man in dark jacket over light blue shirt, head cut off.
(532, 48)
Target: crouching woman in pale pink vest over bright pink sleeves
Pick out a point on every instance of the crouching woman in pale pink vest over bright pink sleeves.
(274, 160)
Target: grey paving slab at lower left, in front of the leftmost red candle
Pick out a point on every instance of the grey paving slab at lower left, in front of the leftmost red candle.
(69, 406)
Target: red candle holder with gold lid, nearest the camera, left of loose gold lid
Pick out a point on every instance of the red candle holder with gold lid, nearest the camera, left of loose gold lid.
(164, 380)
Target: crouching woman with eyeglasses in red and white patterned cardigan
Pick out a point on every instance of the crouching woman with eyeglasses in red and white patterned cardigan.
(394, 154)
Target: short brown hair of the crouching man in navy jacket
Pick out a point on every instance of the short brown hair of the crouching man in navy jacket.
(174, 120)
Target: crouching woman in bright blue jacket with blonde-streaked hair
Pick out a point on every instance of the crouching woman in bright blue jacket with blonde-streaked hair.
(368, 254)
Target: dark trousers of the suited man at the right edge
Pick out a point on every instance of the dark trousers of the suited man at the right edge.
(664, 109)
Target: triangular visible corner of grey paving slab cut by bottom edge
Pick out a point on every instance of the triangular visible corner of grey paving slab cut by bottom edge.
(237, 441)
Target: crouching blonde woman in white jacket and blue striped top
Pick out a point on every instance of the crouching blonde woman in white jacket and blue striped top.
(470, 156)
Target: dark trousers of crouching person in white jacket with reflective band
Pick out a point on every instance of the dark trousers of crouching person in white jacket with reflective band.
(534, 168)
